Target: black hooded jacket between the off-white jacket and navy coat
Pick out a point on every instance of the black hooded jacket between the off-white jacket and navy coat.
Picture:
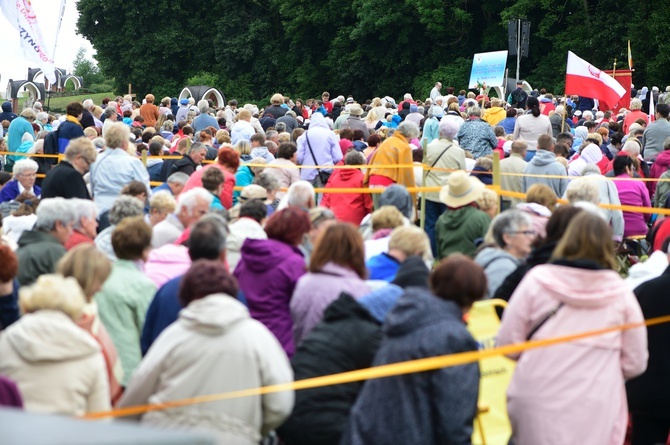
(347, 339)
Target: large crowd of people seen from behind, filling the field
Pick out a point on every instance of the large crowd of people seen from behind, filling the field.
(215, 265)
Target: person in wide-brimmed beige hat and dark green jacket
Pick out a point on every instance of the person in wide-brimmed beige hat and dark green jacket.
(463, 222)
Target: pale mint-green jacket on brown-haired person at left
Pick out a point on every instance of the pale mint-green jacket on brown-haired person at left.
(122, 305)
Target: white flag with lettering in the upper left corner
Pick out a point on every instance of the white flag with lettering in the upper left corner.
(22, 17)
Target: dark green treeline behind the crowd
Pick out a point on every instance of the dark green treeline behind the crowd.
(251, 49)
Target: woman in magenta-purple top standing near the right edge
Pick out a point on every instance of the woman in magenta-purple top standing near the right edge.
(632, 193)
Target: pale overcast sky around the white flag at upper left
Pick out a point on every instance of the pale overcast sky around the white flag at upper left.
(14, 64)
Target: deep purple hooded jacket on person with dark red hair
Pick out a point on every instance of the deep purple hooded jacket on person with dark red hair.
(267, 273)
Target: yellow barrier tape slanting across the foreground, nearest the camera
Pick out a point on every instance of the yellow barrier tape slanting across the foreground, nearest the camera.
(394, 369)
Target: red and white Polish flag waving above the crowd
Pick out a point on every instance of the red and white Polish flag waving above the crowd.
(584, 79)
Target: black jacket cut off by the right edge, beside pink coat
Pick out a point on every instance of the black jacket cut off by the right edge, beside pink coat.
(649, 393)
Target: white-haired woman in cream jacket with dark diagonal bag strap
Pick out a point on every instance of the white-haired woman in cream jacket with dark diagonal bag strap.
(445, 155)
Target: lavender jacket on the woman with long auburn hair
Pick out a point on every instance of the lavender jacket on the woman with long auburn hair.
(315, 292)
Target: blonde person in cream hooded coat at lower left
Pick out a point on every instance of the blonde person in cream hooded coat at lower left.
(58, 367)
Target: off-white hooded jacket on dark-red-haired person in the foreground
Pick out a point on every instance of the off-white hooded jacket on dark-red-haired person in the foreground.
(214, 347)
